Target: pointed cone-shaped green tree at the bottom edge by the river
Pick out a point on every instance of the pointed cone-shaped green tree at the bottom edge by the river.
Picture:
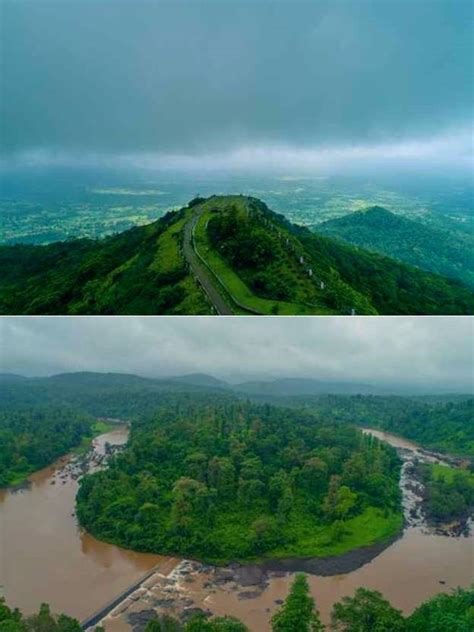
(298, 613)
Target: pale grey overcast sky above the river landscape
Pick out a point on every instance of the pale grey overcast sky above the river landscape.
(409, 350)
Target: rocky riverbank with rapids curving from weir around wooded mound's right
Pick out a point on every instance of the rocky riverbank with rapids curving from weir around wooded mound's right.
(260, 588)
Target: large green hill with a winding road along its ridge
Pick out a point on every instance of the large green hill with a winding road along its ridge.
(225, 254)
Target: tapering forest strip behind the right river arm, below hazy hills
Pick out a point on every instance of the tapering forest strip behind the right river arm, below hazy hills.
(444, 426)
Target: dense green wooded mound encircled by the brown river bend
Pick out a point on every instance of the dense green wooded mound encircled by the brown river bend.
(223, 479)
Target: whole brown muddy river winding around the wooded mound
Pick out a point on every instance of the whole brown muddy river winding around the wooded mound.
(45, 557)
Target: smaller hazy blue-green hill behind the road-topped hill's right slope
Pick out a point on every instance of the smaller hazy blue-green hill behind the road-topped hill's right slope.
(423, 246)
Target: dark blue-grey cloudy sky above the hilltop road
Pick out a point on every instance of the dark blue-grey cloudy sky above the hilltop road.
(266, 84)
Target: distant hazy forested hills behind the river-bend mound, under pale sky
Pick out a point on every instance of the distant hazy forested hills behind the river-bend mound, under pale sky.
(444, 424)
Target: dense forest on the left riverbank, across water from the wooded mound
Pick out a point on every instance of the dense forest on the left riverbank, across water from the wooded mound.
(33, 437)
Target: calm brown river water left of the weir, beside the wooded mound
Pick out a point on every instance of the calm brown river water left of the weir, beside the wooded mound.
(44, 556)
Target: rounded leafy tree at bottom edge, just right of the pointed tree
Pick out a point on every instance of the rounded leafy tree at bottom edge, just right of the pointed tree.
(367, 611)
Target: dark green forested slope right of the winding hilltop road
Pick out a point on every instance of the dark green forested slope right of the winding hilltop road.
(274, 257)
